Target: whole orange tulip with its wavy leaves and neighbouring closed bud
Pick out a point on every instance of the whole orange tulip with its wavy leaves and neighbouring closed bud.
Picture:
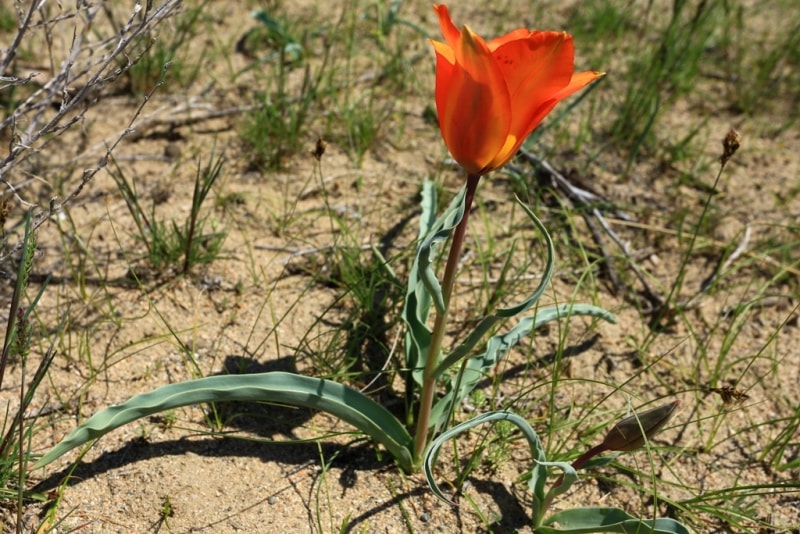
(490, 96)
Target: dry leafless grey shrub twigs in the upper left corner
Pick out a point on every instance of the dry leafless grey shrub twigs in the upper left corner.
(98, 55)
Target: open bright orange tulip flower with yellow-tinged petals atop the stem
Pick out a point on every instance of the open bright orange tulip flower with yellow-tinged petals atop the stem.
(491, 96)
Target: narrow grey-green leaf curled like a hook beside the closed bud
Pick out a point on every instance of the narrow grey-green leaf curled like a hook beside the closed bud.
(539, 474)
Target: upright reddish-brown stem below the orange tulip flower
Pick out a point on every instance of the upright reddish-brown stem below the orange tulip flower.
(437, 335)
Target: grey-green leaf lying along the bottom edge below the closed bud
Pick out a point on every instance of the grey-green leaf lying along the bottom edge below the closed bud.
(605, 519)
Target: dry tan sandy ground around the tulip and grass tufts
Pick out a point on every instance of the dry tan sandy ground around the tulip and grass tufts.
(258, 308)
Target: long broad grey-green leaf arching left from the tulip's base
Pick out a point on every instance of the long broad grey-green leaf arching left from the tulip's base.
(286, 388)
